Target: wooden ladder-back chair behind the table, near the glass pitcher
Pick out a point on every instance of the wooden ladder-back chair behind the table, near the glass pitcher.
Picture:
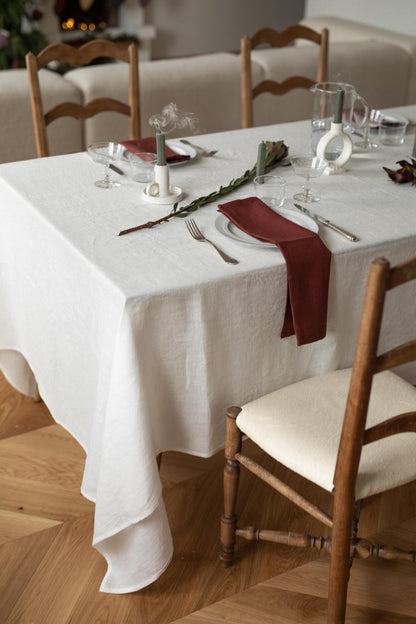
(276, 39)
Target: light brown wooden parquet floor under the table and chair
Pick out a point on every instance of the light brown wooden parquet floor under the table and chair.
(50, 574)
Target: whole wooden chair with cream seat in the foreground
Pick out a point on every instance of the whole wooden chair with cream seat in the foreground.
(327, 430)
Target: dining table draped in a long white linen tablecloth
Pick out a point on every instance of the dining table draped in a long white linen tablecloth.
(138, 343)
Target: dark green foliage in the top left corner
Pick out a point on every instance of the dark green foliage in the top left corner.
(19, 32)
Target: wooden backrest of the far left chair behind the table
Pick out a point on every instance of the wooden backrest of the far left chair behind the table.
(77, 57)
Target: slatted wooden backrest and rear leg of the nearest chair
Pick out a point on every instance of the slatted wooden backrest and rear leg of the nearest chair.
(355, 433)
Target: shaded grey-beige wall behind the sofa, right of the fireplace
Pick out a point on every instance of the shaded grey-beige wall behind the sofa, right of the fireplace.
(200, 26)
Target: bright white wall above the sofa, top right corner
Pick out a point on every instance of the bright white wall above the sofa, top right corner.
(399, 15)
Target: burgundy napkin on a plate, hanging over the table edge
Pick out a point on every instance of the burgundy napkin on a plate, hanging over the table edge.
(307, 260)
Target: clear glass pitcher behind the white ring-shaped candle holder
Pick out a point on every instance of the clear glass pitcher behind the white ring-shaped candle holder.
(324, 101)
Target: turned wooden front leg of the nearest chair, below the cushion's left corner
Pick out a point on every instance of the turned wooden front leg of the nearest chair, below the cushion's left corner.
(233, 439)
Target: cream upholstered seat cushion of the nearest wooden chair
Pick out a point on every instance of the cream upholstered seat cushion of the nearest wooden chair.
(300, 425)
